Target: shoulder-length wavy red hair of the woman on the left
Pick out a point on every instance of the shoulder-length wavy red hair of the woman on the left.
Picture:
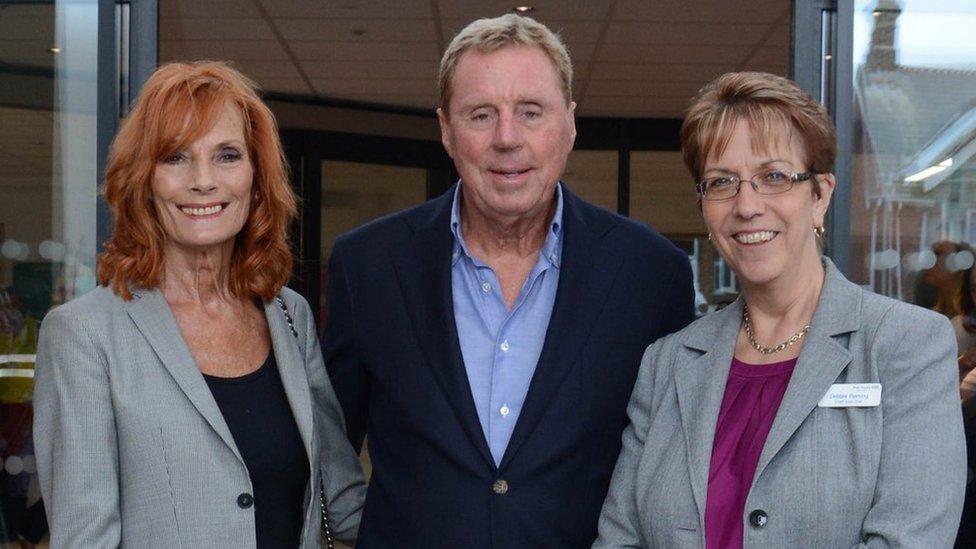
(178, 104)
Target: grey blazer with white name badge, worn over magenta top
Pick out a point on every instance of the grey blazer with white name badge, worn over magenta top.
(889, 476)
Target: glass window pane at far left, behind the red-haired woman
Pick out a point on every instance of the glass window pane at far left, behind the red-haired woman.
(48, 185)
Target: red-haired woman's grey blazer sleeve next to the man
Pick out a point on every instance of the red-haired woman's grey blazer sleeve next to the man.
(342, 475)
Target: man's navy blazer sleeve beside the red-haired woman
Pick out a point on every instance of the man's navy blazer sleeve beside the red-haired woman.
(342, 359)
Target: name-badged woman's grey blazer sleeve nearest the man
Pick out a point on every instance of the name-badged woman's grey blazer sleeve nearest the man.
(618, 526)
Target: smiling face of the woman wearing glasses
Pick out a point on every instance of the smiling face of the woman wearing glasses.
(767, 239)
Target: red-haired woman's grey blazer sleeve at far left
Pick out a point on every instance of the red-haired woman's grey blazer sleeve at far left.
(74, 435)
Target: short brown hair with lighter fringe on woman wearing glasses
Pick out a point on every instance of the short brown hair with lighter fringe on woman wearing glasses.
(768, 102)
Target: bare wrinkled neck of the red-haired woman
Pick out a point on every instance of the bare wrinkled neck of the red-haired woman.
(198, 275)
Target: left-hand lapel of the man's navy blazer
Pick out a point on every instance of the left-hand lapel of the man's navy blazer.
(424, 272)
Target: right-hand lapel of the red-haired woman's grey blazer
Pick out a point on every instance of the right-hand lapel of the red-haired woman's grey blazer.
(291, 368)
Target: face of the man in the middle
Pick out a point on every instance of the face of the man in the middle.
(509, 130)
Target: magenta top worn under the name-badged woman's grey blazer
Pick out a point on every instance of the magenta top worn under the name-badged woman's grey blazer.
(753, 393)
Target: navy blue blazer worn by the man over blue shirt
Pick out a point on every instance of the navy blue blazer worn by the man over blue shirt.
(391, 349)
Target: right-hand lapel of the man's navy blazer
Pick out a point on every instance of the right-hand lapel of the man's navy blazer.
(586, 274)
